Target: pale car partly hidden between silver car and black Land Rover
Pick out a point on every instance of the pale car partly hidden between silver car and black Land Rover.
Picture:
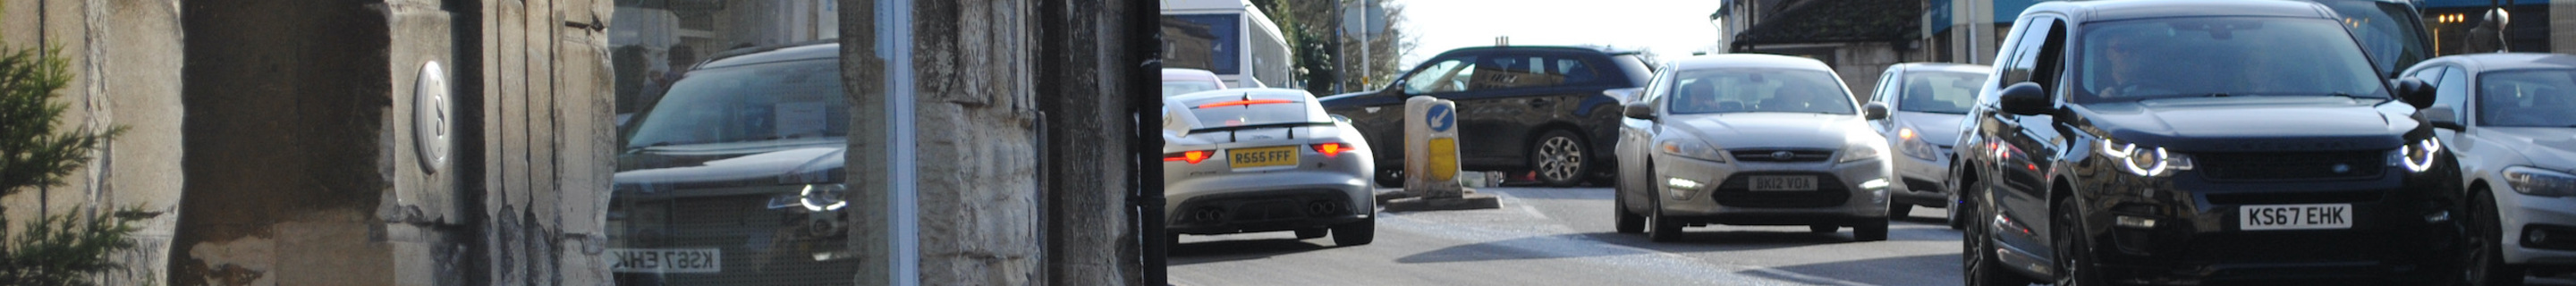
(1926, 102)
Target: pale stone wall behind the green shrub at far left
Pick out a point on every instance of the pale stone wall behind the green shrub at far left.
(125, 61)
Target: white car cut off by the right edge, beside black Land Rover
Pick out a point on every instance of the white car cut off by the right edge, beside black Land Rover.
(2513, 122)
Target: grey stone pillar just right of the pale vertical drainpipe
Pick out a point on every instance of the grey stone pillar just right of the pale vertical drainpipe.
(978, 143)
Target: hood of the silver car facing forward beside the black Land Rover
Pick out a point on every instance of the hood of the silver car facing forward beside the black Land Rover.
(1771, 130)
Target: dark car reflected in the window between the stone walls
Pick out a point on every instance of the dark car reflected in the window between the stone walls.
(735, 176)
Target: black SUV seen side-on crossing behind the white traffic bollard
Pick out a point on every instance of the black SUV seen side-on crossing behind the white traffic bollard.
(1547, 110)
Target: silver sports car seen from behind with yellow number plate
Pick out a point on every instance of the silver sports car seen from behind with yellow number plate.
(1266, 161)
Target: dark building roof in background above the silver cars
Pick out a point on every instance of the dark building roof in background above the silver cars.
(1830, 22)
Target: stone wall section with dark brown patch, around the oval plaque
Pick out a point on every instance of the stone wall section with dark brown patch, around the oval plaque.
(305, 164)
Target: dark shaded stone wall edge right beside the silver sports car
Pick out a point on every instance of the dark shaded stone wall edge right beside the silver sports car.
(1088, 138)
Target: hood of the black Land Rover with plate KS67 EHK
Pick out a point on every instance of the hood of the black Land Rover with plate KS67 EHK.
(2258, 125)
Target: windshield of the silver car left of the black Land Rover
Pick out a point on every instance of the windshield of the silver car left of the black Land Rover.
(1758, 91)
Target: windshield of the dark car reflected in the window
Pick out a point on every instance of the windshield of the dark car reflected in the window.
(748, 104)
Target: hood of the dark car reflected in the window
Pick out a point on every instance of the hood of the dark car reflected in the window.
(710, 166)
